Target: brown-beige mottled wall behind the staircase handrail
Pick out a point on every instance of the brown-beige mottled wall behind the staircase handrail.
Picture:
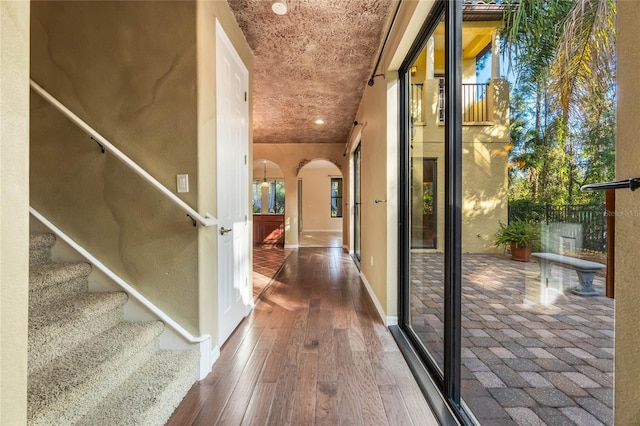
(129, 70)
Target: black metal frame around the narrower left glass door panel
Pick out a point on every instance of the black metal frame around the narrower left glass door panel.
(441, 389)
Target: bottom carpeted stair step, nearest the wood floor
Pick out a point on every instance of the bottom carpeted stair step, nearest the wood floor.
(151, 394)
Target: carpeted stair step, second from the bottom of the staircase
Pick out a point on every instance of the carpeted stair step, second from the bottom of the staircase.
(65, 390)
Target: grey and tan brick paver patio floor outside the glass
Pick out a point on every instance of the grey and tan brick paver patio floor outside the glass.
(523, 363)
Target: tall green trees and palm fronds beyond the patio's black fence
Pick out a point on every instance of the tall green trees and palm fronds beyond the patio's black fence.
(563, 102)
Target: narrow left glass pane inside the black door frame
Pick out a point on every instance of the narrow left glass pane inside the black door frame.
(426, 150)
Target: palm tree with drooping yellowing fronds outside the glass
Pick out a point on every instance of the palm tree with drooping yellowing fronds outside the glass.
(564, 59)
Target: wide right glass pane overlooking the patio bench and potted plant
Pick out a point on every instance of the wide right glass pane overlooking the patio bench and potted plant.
(538, 330)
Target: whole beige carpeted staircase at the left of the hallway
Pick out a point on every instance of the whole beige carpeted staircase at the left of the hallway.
(86, 364)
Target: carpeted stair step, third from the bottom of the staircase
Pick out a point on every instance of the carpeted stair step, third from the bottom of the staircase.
(59, 326)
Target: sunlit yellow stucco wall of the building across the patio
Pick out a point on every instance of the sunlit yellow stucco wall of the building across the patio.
(484, 162)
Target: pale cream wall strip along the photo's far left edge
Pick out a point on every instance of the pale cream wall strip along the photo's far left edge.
(14, 214)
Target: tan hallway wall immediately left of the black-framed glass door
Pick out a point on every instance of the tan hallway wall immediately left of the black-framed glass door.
(379, 144)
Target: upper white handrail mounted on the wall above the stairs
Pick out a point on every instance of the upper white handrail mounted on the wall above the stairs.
(206, 220)
